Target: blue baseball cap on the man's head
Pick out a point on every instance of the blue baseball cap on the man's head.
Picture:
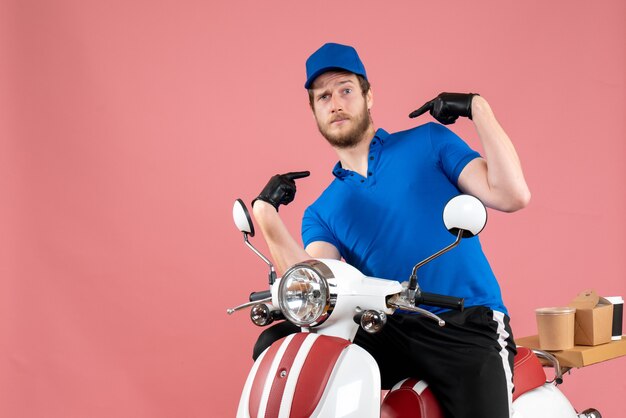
(333, 57)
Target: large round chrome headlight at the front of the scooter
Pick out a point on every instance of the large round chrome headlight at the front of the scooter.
(304, 296)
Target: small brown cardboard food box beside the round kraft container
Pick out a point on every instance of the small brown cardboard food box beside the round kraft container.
(594, 318)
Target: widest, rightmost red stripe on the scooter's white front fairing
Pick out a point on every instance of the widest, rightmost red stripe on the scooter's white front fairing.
(315, 373)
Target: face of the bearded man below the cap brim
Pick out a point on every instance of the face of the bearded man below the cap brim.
(340, 109)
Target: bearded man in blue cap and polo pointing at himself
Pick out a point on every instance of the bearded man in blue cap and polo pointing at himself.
(382, 214)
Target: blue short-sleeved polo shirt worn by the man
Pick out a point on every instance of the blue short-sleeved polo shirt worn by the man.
(385, 223)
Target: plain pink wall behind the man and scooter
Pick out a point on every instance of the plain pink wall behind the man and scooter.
(127, 129)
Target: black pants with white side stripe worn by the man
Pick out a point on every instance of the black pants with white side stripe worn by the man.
(468, 364)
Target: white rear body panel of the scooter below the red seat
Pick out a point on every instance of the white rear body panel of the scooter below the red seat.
(546, 401)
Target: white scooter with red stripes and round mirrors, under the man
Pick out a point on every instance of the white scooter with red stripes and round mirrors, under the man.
(319, 372)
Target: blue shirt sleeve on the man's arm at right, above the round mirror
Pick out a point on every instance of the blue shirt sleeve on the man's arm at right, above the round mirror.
(452, 152)
